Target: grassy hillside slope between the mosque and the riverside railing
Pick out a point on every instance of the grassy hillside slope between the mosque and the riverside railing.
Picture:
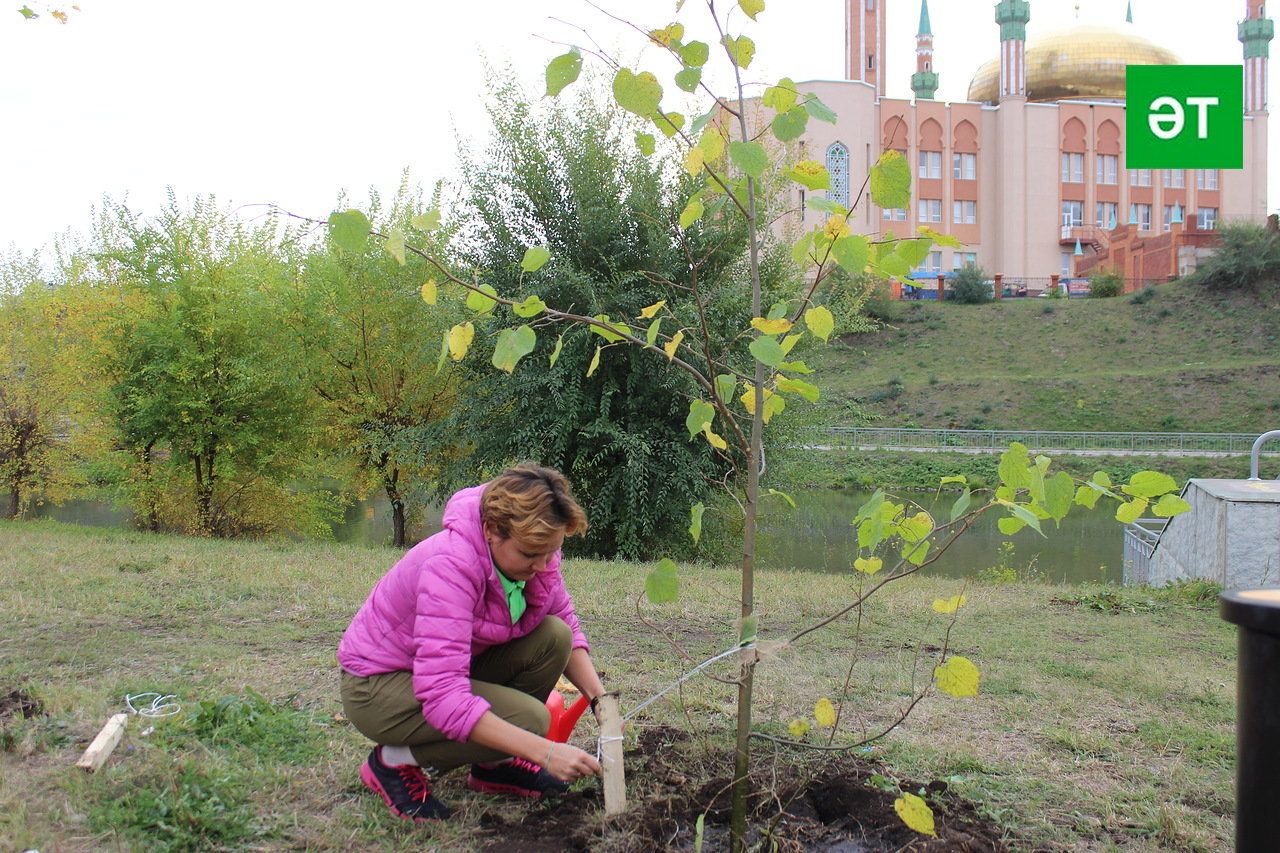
(1181, 359)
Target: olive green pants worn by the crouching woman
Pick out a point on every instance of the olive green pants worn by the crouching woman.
(516, 679)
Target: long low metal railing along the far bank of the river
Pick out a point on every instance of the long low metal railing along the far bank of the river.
(906, 439)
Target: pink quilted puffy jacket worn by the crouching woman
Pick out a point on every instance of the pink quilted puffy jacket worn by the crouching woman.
(441, 606)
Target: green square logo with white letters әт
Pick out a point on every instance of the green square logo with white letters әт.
(1185, 117)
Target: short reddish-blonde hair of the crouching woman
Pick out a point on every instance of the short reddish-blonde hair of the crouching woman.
(532, 504)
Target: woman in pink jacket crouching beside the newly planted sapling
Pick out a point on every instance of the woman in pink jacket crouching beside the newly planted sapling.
(454, 655)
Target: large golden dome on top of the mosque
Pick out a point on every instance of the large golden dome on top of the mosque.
(1082, 63)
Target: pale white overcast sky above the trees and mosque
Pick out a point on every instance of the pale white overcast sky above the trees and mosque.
(291, 102)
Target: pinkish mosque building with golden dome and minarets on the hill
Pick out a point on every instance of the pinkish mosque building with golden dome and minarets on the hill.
(1030, 174)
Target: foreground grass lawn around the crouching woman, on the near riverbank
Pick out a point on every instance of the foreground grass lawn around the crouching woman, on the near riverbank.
(1105, 722)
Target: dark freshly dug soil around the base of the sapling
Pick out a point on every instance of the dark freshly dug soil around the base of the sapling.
(843, 806)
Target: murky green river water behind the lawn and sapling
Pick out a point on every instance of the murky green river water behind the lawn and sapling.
(816, 536)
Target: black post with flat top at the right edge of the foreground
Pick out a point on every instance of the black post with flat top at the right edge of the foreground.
(1258, 726)
